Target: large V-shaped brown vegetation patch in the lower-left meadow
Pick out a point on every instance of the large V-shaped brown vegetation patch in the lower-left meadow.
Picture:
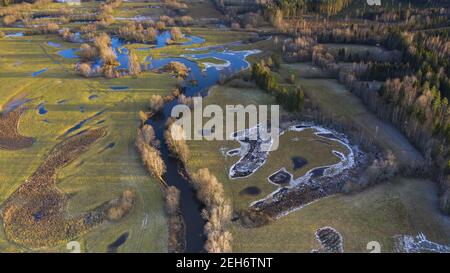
(36, 215)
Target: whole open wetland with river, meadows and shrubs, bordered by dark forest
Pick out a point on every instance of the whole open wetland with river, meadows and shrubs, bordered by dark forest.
(80, 85)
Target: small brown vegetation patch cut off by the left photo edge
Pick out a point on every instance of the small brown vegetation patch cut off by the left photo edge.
(10, 138)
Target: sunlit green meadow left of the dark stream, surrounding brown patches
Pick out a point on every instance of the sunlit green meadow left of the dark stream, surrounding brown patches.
(104, 172)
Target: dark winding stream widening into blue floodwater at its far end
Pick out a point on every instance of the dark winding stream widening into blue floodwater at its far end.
(204, 79)
